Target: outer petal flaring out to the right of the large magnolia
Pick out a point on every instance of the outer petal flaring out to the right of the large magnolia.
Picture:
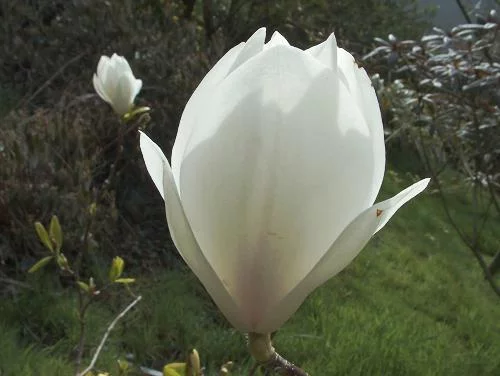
(341, 253)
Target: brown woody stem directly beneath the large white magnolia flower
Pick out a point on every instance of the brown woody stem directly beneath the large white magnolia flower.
(263, 352)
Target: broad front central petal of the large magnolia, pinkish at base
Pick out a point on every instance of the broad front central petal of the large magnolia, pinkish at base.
(264, 177)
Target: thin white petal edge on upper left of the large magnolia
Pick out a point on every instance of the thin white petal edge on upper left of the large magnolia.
(196, 105)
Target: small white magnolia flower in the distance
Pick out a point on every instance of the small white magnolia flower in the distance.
(115, 83)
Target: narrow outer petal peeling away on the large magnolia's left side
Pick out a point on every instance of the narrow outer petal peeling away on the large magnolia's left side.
(182, 235)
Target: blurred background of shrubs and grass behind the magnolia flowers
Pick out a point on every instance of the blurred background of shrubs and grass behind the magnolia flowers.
(416, 301)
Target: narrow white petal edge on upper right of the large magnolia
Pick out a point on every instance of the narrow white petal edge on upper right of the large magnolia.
(361, 89)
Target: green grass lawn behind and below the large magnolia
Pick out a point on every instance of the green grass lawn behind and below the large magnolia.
(413, 303)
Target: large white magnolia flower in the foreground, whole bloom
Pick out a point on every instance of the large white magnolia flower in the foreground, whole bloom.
(277, 163)
